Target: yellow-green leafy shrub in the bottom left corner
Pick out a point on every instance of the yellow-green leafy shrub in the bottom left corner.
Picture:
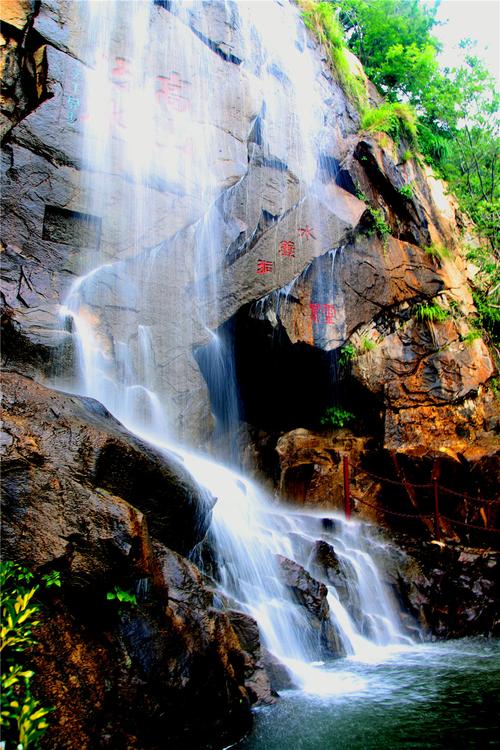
(23, 719)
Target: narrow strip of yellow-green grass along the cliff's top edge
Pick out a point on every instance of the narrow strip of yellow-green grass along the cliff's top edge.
(322, 20)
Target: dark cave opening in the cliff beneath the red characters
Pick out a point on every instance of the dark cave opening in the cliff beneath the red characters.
(256, 375)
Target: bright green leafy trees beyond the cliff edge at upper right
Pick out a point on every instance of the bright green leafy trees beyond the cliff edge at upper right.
(457, 130)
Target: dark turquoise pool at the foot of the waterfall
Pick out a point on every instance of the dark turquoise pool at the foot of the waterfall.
(442, 695)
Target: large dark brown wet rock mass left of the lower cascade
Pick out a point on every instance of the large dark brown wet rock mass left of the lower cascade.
(85, 498)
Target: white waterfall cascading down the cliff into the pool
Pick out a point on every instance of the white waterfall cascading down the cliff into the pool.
(116, 307)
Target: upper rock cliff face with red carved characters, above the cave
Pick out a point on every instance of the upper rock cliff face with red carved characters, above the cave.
(261, 202)
